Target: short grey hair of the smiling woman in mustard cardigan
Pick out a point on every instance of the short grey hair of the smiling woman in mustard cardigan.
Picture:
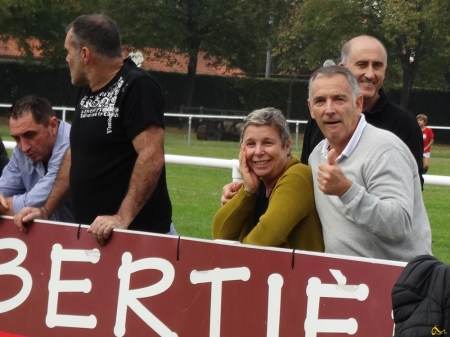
(268, 116)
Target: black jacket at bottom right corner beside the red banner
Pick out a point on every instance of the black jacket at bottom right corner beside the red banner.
(420, 299)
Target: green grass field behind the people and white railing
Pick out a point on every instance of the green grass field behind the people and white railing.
(195, 191)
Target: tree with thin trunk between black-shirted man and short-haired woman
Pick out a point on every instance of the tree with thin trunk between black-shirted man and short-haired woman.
(231, 30)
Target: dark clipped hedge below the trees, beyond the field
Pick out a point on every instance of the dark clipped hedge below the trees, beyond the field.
(211, 92)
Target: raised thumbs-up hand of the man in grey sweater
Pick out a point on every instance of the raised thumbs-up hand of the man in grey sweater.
(331, 180)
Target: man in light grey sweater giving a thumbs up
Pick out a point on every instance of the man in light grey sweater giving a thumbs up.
(366, 182)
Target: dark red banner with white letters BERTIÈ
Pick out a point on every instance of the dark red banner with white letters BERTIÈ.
(140, 284)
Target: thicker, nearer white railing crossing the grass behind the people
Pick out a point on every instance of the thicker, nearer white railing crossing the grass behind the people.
(233, 164)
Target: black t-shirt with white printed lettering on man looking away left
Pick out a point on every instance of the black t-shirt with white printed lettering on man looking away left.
(103, 155)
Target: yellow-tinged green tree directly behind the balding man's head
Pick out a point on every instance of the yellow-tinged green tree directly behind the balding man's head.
(416, 34)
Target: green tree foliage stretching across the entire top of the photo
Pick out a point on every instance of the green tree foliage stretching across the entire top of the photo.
(302, 33)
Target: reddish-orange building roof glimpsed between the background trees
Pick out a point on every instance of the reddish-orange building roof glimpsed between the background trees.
(170, 62)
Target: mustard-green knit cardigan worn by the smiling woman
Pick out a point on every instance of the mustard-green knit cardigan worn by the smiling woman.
(290, 221)
